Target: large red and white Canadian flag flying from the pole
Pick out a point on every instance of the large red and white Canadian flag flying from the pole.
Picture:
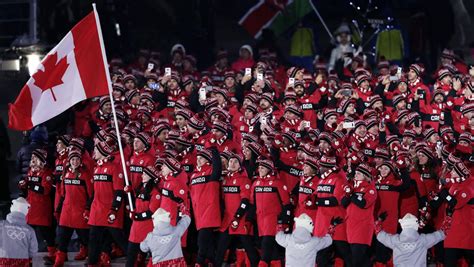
(73, 71)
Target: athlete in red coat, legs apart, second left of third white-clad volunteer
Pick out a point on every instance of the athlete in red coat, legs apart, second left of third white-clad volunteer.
(236, 194)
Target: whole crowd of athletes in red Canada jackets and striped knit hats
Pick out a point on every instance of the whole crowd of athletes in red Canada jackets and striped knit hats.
(263, 161)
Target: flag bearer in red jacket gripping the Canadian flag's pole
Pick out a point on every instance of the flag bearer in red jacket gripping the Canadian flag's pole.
(147, 200)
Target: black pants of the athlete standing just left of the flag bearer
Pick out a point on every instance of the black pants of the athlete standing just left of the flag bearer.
(98, 241)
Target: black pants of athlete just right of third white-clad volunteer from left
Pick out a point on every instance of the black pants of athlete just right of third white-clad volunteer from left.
(340, 249)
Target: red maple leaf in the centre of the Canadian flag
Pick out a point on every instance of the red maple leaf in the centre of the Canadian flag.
(52, 74)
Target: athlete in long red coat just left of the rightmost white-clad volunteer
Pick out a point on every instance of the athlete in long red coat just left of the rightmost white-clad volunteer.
(360, 202)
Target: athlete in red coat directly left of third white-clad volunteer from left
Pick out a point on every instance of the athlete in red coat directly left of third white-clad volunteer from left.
(272, 201)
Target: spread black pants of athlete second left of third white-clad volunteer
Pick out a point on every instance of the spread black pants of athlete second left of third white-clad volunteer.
(224, 242)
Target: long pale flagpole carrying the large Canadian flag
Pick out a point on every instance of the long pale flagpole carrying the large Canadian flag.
(109, 84)
